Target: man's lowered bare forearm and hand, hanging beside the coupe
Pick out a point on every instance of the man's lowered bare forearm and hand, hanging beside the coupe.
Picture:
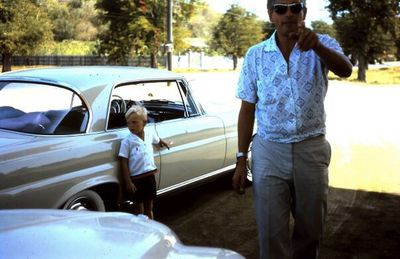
(245, 132)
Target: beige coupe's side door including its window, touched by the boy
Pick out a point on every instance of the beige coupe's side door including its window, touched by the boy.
(198, 143)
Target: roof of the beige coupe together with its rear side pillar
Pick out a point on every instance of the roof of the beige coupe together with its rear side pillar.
(93, 83)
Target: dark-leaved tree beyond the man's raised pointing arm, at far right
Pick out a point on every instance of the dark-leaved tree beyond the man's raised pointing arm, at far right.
(364, 28)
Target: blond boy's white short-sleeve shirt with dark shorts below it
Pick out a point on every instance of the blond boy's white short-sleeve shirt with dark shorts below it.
(139, 152)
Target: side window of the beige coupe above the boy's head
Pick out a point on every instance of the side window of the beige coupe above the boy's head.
(164, 100)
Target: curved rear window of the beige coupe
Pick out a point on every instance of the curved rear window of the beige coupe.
(41, 109)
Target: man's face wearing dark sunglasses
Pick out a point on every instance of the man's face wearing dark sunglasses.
(287, 16)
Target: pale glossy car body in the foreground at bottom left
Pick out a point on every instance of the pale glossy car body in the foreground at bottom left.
(70, 234)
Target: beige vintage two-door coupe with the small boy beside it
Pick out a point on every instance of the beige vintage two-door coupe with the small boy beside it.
(61, 128)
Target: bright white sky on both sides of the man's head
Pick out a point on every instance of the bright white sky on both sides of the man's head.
(316, 10)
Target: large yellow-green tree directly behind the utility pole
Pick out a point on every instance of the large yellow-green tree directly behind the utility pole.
(138, 27)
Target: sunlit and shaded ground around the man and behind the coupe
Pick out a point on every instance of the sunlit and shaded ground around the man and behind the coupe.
(364, 203)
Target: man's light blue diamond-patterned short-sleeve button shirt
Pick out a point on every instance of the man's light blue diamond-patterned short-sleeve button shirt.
(289, 96)
